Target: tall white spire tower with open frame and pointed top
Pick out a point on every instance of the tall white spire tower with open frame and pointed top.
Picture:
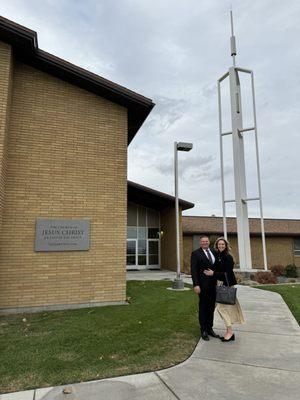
(237, 134)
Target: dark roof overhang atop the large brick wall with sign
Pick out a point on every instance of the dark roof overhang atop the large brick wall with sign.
(25, 46)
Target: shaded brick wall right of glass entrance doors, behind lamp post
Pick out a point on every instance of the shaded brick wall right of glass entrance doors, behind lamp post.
(168, 240)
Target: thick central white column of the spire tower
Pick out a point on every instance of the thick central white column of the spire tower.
(239, 172)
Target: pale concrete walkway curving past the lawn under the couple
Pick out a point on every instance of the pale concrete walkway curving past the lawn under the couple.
(263, 362)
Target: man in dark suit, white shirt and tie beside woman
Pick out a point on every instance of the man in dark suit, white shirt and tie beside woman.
(205, 286)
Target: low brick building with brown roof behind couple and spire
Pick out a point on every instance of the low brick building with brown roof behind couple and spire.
(282, 239)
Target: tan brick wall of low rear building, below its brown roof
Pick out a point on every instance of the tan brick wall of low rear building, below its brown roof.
(279, 250)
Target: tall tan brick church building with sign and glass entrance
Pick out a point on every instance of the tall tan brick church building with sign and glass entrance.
(64, 134)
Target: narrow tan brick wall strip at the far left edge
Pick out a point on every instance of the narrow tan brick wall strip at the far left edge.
(5, 103)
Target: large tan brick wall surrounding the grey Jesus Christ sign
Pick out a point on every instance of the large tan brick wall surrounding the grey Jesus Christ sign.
(67, 158)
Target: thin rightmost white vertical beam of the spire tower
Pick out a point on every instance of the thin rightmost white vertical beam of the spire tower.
(258, 178)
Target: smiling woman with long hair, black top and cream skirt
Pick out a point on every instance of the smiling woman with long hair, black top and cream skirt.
(224, 264)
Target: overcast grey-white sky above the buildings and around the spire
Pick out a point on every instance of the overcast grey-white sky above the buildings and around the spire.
(173, 52)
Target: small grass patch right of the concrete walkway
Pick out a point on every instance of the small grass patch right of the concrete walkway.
(290, 294)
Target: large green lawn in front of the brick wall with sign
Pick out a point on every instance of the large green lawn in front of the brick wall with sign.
(158, 329)
